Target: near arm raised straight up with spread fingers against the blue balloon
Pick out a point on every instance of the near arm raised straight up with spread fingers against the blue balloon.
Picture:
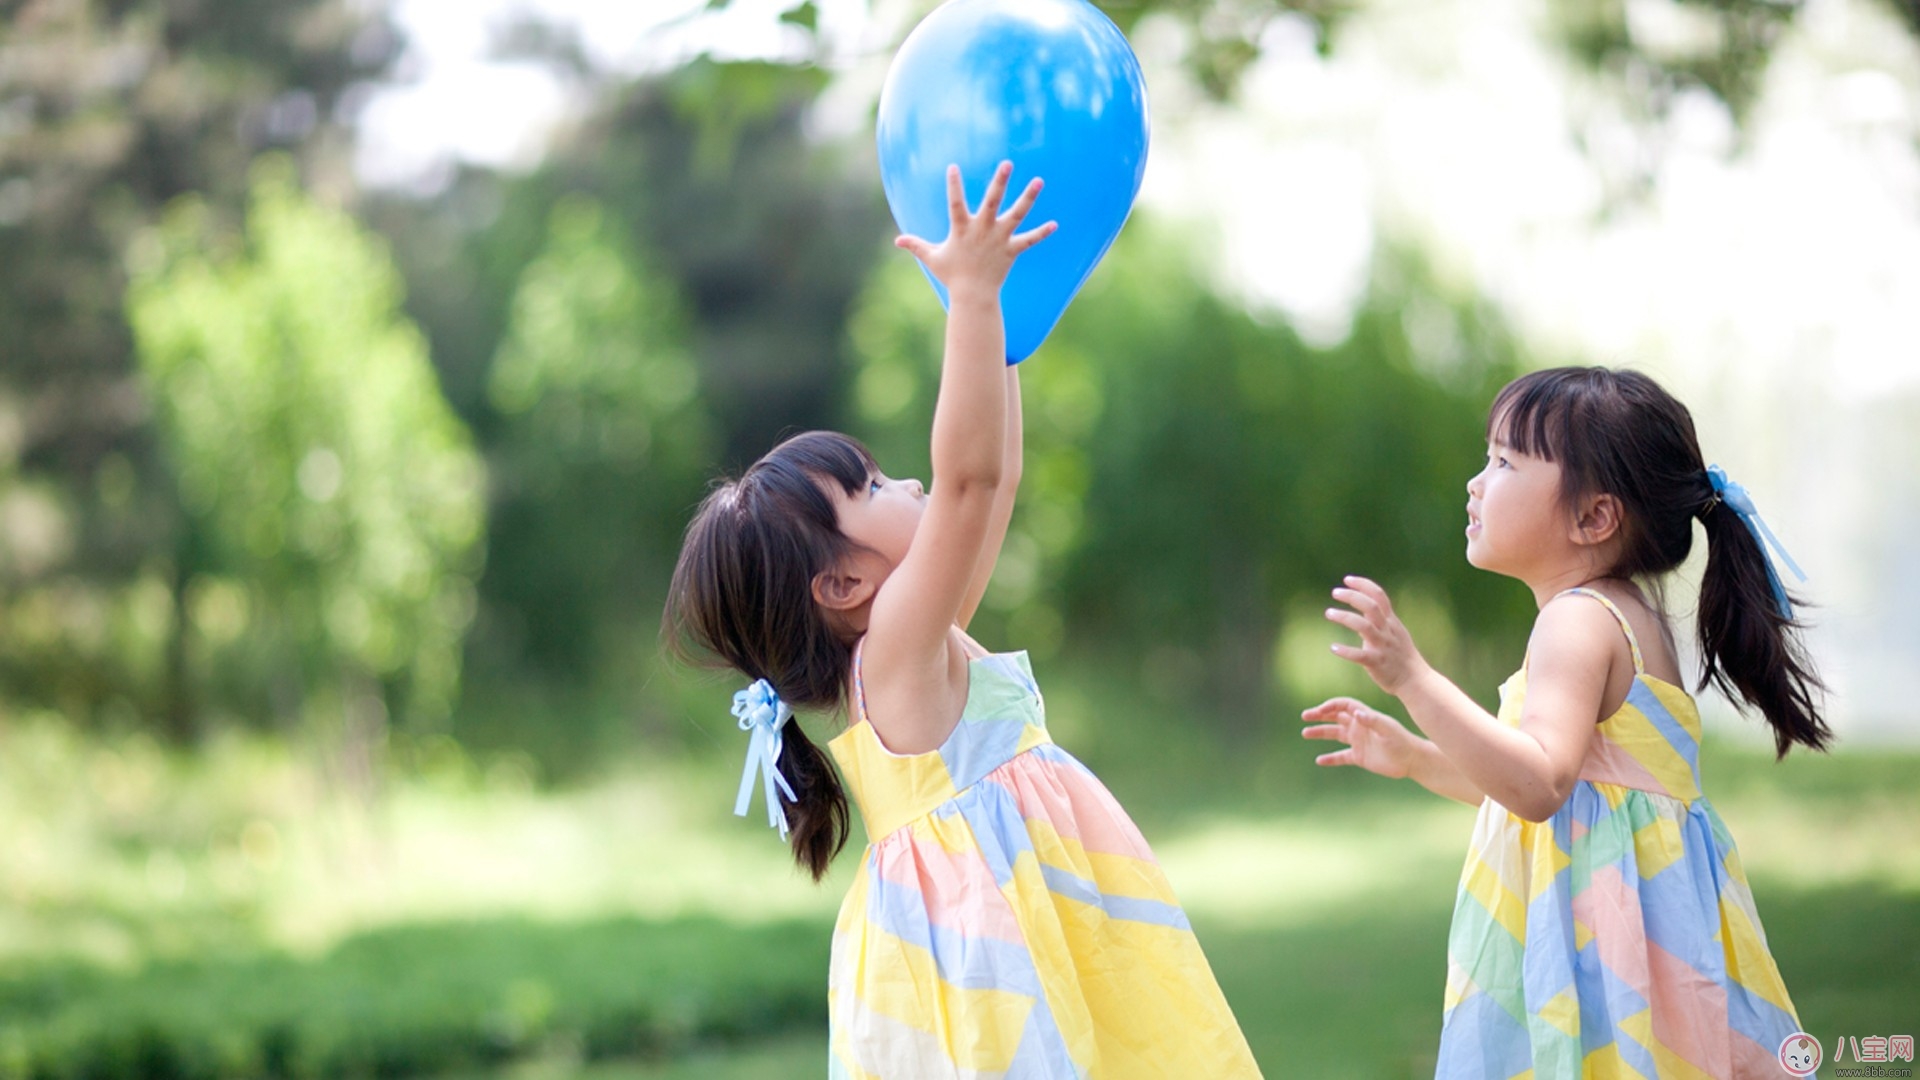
(915, 666)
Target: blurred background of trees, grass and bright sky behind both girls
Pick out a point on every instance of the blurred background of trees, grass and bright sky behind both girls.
(362, 362)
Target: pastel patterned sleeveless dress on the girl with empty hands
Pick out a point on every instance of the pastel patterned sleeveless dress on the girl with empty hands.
(1620, 937)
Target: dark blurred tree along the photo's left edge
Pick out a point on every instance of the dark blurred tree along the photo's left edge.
(107, 112)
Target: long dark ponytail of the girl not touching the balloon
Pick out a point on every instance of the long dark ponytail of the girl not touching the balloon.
(1748, 647)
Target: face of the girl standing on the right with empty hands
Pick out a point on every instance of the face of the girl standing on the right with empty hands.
(1516, 520)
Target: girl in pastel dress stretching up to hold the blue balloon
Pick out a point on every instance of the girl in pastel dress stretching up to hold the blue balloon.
(1007, 918)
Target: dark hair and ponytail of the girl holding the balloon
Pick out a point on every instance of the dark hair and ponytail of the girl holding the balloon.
(742, 593)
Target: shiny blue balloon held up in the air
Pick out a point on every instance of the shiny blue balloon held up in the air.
(1049, 86)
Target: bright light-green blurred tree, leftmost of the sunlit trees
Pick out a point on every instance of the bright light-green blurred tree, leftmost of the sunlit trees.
(339, 495)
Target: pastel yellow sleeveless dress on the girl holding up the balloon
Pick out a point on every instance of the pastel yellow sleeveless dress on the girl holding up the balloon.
(1009, 921)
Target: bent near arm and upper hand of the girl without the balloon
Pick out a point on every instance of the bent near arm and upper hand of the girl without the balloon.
(1529, 770)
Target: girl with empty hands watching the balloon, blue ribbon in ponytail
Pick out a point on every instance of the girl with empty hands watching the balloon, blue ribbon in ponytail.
(1604, 925)
